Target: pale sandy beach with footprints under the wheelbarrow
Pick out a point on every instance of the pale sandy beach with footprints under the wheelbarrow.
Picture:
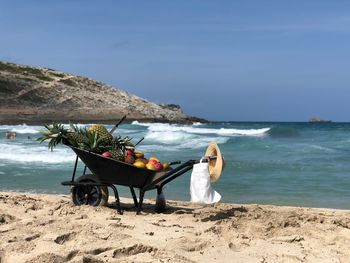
(48, 228)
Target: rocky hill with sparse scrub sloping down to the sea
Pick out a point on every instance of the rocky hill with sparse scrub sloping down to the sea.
(39, 95)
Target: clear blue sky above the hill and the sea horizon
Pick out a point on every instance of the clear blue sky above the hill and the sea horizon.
(221, 60)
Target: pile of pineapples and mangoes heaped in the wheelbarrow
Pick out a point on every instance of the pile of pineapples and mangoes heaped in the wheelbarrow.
(99, 140)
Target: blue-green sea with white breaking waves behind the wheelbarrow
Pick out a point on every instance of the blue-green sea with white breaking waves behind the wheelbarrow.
(293, 164)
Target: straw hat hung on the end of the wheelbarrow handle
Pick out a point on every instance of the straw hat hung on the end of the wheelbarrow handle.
(215, 166)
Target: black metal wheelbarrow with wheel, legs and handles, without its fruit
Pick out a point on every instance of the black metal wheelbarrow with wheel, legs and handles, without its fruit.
(92, 189)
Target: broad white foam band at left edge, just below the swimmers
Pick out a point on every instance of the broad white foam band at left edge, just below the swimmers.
(22, 153)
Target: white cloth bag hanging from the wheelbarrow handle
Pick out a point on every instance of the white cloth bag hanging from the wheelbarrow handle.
(201, 190)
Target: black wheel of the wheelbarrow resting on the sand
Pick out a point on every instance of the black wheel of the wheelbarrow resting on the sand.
(87, 194)
